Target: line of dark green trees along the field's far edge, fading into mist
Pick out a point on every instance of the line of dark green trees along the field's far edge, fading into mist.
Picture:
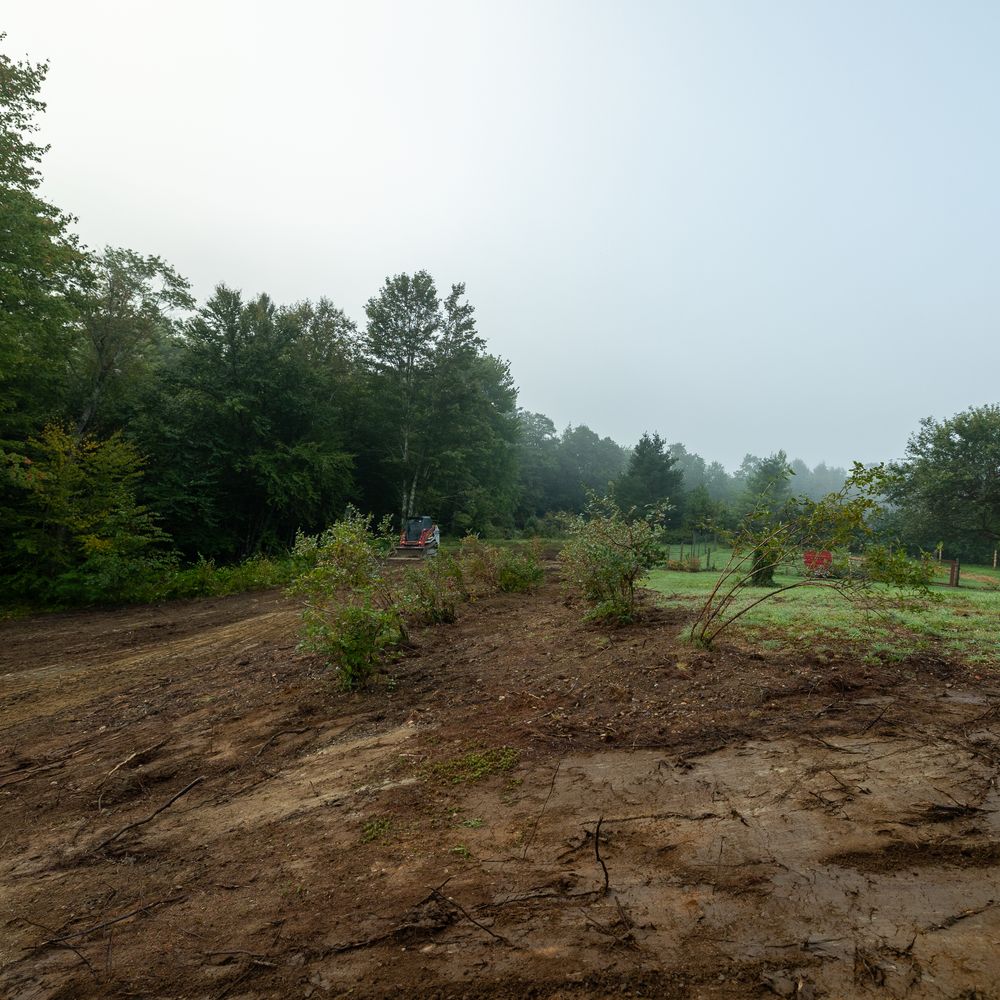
(138, 426)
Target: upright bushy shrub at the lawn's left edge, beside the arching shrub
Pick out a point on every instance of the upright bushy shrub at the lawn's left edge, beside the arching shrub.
(607, 553)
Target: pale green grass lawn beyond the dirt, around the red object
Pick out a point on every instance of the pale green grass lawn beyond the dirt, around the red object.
(962, 621)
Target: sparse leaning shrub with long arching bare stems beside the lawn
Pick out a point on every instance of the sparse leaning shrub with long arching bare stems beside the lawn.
(767, 538)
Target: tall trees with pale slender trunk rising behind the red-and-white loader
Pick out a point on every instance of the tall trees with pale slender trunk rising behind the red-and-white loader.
(440, 413)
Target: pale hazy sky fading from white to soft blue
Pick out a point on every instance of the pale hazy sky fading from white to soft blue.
(744, 224)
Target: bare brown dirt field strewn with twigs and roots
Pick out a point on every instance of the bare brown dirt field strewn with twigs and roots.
(529, 807)
